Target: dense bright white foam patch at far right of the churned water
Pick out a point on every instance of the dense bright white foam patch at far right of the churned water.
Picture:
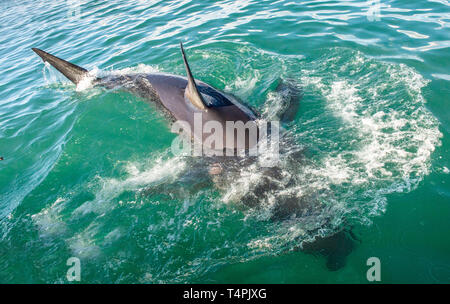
(386, 137)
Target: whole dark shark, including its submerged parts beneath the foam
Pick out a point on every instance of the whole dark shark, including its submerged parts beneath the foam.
(184, 97)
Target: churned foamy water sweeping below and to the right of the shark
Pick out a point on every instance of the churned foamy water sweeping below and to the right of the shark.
(363, 133)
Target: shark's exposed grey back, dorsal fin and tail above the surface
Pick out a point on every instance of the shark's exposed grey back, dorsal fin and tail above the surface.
(168, 91)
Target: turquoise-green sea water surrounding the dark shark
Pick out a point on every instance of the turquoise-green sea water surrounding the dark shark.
(88, 173)
